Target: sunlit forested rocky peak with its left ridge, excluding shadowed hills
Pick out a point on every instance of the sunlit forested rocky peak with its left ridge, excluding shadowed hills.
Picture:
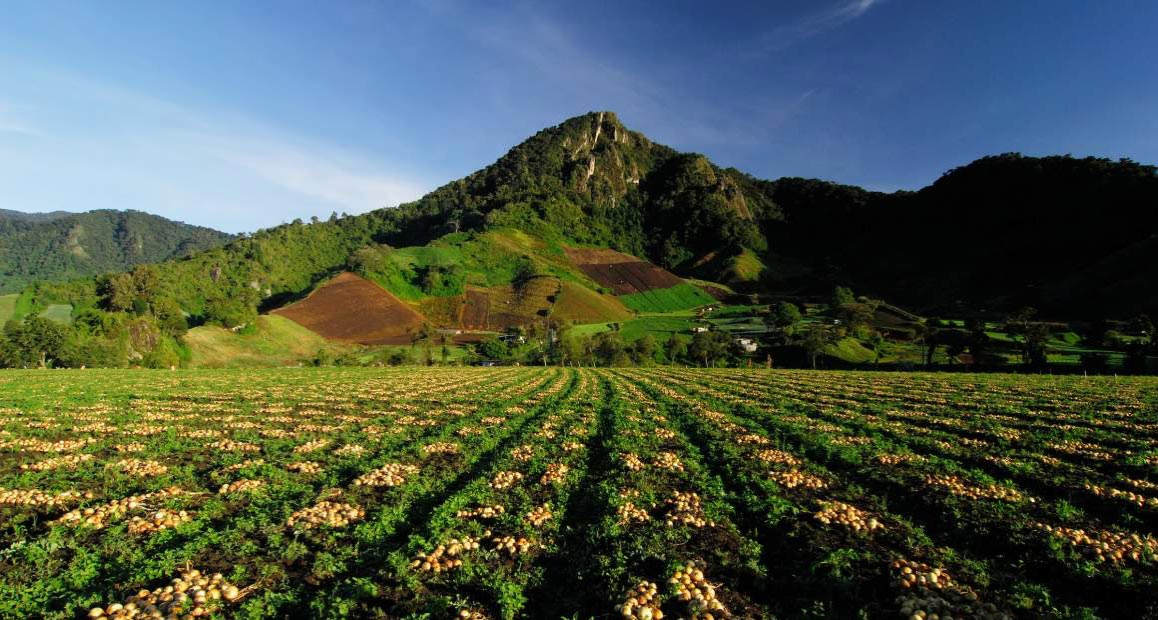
(589, 181)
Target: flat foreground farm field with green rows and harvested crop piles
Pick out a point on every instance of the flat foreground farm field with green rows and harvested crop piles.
(561, 493)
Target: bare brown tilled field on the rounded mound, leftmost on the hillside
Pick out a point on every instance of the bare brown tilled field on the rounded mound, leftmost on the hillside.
(353, 309)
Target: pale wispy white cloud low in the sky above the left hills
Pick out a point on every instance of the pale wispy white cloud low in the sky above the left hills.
(179, 159)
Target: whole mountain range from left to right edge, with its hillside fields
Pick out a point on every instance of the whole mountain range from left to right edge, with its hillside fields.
(1072, 237)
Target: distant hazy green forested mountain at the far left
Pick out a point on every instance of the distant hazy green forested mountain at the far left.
(63, 246)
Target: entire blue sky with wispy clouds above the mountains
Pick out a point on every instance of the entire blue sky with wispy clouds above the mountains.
(246, 115)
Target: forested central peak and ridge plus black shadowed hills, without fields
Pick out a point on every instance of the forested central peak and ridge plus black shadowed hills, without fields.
(592, 183)
